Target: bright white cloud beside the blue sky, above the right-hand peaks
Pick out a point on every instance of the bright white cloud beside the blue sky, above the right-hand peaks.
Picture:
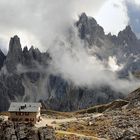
(113, 16)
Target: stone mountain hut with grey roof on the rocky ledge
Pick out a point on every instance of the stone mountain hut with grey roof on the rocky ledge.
(24, 112)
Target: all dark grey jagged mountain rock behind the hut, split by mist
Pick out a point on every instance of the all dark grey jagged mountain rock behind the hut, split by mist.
(25, 73)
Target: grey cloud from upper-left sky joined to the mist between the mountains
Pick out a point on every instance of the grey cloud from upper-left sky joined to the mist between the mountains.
(49, 24)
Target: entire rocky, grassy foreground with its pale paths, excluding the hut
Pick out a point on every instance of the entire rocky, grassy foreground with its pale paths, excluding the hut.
(118, 120)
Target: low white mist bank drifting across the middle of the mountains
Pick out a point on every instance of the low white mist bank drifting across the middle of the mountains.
(75, 63)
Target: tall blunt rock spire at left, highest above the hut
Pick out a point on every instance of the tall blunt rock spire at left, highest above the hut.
(14, 55)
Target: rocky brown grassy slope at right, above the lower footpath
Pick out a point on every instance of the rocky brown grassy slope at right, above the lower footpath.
(119, 120)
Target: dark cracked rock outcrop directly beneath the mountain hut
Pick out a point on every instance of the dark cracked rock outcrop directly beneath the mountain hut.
(22, 131)
